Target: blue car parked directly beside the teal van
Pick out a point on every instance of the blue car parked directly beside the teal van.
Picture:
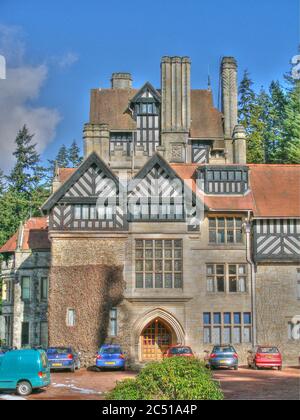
(63, 358)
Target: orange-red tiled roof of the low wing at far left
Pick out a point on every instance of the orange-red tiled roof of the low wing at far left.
(34, 236)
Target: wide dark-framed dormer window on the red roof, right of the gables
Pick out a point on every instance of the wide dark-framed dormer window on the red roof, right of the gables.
(224, 180)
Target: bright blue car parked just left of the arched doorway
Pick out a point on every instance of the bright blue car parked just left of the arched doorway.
(111, 357)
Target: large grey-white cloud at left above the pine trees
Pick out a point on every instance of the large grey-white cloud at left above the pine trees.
(22, 86)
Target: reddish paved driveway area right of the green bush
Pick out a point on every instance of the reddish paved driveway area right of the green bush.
(260, 385)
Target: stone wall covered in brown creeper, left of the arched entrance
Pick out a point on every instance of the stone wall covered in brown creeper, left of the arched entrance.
(87, 276)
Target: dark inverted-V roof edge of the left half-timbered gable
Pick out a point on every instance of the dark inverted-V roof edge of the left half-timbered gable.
(75, 176)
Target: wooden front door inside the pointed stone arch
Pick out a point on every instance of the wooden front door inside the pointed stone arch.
(156, 339)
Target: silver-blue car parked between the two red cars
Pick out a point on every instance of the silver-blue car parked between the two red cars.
(223, 357)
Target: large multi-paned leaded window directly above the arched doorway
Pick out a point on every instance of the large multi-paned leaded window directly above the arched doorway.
(159, 264)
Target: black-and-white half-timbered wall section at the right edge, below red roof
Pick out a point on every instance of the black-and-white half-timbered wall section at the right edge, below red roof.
(277, 240)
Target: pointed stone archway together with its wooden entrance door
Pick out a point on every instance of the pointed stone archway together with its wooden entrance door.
(155, 331)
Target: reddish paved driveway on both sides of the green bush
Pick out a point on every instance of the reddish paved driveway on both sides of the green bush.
(242, 385)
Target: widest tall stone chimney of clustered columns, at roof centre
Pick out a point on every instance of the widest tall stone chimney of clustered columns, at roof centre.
(176, 106)
